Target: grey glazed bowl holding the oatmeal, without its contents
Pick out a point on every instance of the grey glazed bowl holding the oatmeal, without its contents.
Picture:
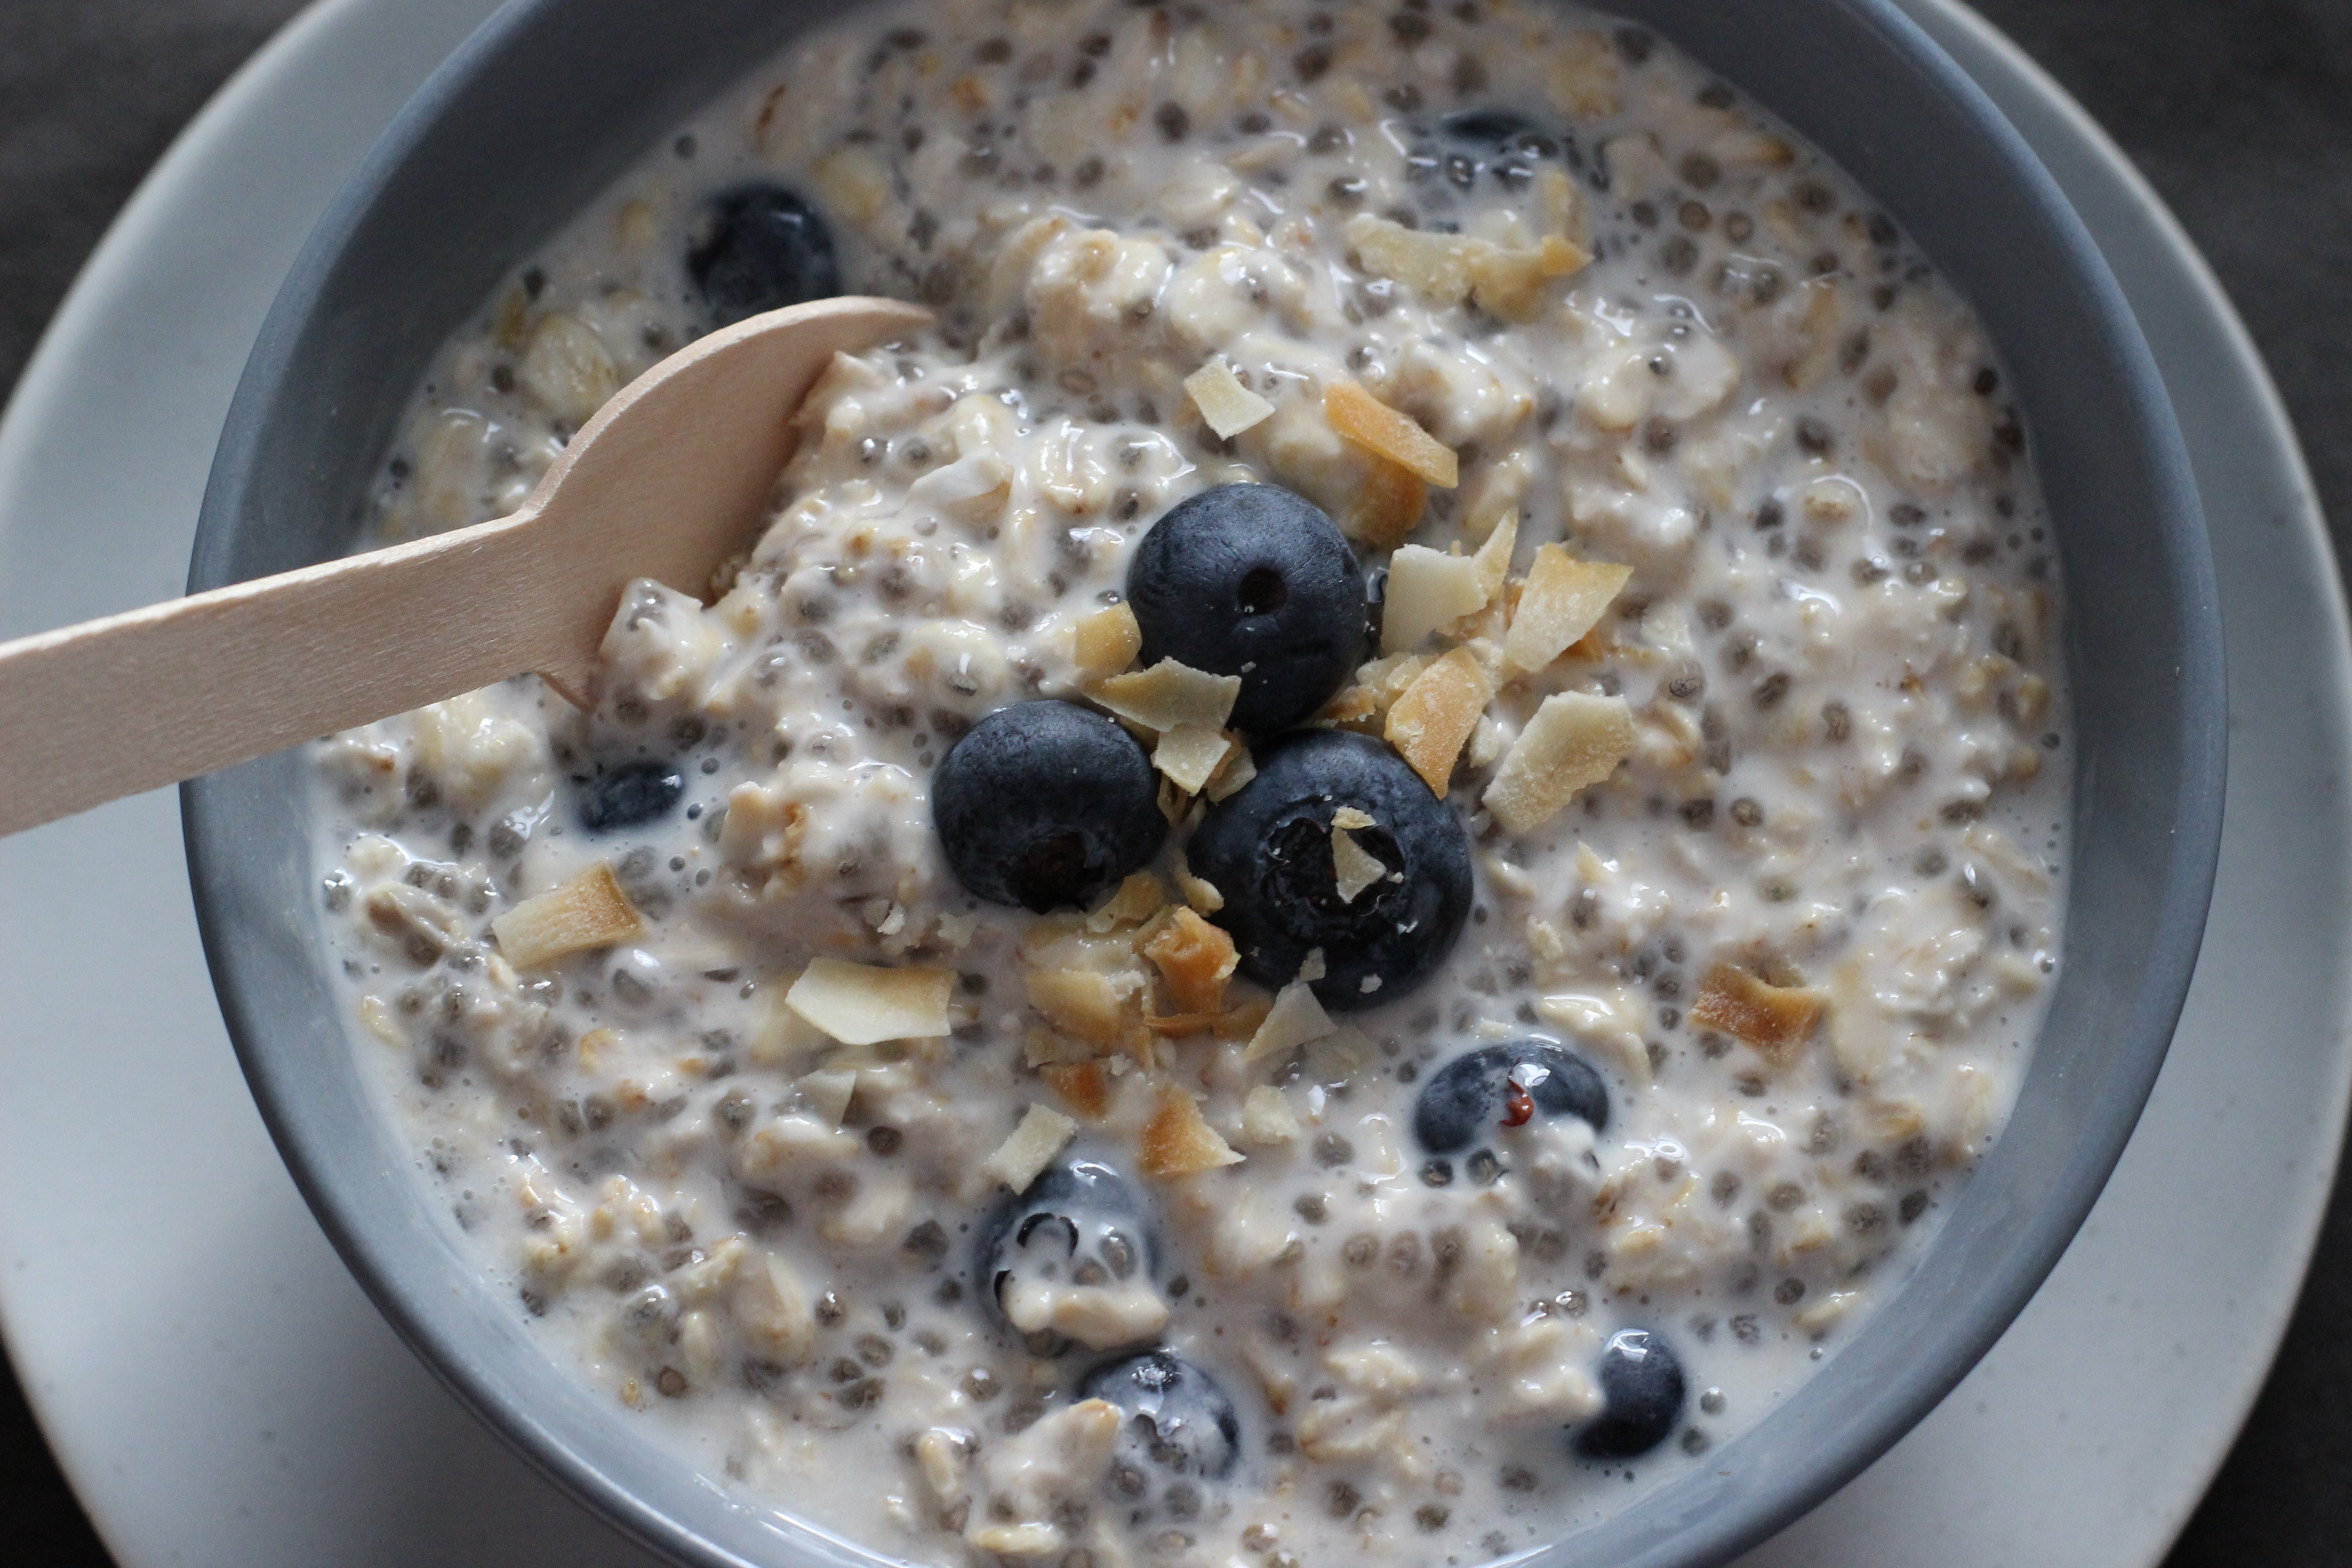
(577, 88)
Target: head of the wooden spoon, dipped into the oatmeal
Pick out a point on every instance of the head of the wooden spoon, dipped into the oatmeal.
(676, 471)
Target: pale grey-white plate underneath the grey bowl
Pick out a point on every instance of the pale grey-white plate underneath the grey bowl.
(218, 1388)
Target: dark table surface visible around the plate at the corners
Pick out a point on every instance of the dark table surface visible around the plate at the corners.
(2240, 112)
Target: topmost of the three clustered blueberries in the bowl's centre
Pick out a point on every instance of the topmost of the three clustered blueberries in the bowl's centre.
(1255, 582)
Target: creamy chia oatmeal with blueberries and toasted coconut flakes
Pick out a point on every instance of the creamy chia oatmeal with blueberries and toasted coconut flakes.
(1354, 862)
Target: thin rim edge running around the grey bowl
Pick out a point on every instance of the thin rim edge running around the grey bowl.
(2189, 859)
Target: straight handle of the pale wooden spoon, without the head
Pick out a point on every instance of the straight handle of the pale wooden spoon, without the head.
(159, 695)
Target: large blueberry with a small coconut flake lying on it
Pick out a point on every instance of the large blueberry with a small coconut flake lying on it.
(1269, 852)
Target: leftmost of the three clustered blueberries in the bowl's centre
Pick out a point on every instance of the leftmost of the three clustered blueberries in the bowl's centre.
(1045, 805)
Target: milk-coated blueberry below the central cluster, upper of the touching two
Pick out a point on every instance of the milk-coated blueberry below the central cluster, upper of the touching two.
(1081, 1224)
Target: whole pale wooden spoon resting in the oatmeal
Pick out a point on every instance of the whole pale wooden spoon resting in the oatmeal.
(664, 483)
